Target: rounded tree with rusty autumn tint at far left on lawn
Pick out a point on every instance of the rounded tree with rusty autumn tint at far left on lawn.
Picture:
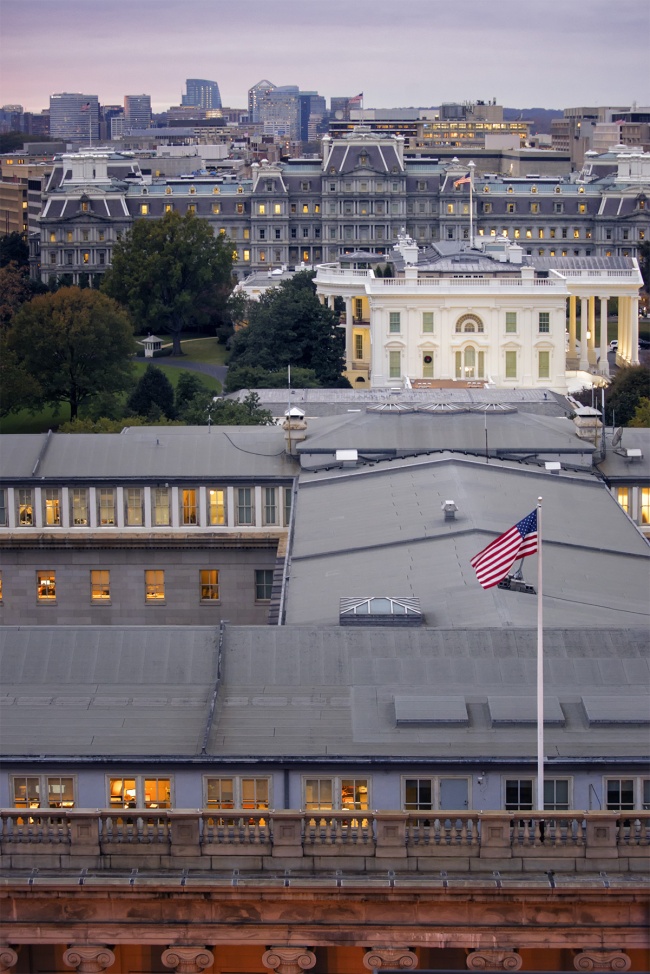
(73, 344)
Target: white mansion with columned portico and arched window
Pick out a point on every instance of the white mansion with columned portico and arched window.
(486, 314)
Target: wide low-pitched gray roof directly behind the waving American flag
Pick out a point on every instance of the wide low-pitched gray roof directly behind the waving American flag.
(380, 530)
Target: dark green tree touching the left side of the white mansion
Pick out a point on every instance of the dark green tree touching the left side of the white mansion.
(289, 325)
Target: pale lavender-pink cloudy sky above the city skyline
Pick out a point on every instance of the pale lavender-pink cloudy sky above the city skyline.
(399, 53)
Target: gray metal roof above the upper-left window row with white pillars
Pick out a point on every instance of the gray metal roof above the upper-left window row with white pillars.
(184, 452)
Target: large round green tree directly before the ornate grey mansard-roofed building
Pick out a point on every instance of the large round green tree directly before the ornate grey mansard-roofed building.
(171, 274)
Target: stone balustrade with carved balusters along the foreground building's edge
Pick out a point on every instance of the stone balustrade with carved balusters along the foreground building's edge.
(112, 836)
